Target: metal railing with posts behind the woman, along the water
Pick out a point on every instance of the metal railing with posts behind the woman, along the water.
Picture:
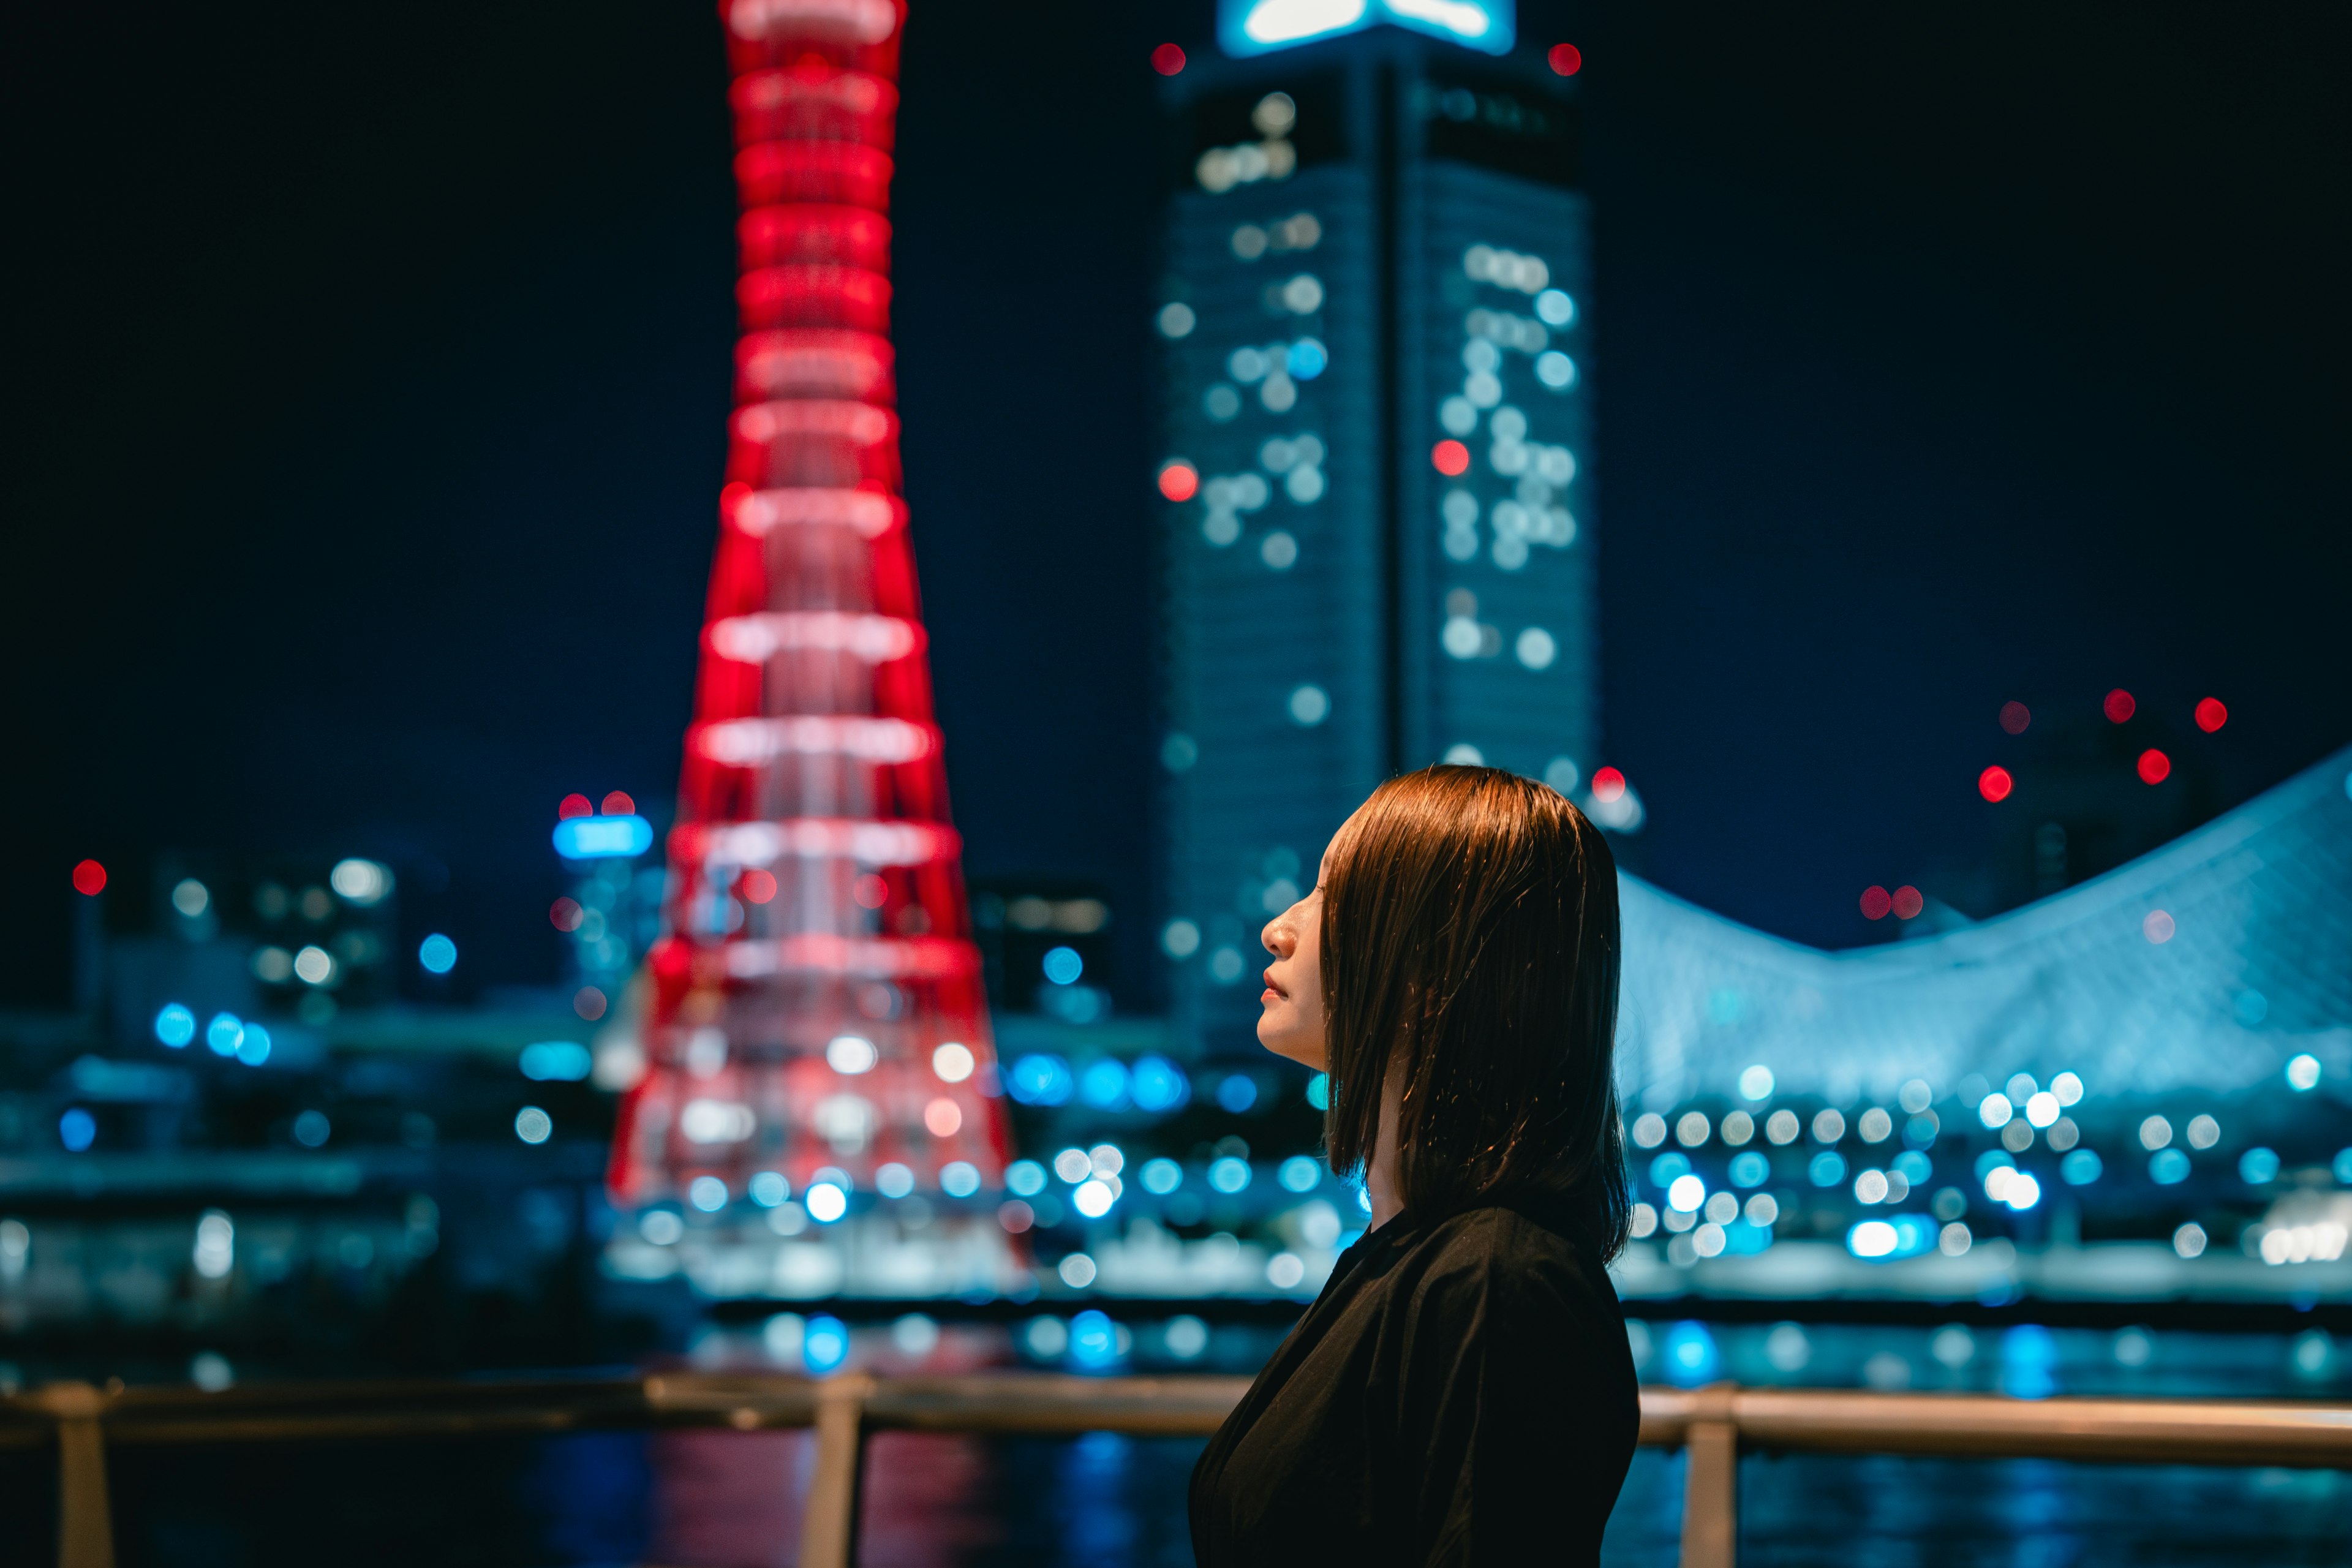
(1711, 1423)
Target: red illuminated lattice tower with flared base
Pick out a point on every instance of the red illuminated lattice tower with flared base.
(817, 1003)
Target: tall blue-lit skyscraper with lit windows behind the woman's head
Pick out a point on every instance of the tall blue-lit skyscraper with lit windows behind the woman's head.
(1377, 478)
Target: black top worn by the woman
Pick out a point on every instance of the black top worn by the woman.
(1459, 1393)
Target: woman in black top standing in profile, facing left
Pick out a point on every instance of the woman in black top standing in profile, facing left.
(1462, 1391)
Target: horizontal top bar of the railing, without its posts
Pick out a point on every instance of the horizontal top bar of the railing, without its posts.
(1822, 1421)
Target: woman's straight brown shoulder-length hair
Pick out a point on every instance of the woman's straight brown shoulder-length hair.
(1471, 944)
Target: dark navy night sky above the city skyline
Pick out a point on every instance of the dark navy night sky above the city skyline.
(368, 380)
